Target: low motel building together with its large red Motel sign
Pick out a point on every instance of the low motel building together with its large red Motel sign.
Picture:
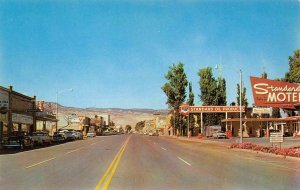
(257, 121)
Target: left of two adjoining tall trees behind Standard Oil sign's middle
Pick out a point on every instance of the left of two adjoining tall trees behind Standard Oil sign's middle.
(208, 91)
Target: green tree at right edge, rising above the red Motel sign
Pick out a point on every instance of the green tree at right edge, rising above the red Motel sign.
(293, 75)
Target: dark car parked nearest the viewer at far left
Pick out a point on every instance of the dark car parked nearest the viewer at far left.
(19, 139)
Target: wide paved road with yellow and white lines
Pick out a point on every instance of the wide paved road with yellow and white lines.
(143, 162)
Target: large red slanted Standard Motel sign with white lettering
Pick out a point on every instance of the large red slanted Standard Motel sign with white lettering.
(271, 93)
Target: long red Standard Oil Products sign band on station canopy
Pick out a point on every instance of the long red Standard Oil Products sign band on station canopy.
(186, 109)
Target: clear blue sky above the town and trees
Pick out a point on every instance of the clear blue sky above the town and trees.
(115, 54)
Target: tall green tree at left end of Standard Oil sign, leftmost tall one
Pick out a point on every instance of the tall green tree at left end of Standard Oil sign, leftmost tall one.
(175, 89)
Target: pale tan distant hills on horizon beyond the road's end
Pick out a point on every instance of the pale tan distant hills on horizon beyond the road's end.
(119, 116)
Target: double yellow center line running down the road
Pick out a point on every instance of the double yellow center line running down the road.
(108, 175)
